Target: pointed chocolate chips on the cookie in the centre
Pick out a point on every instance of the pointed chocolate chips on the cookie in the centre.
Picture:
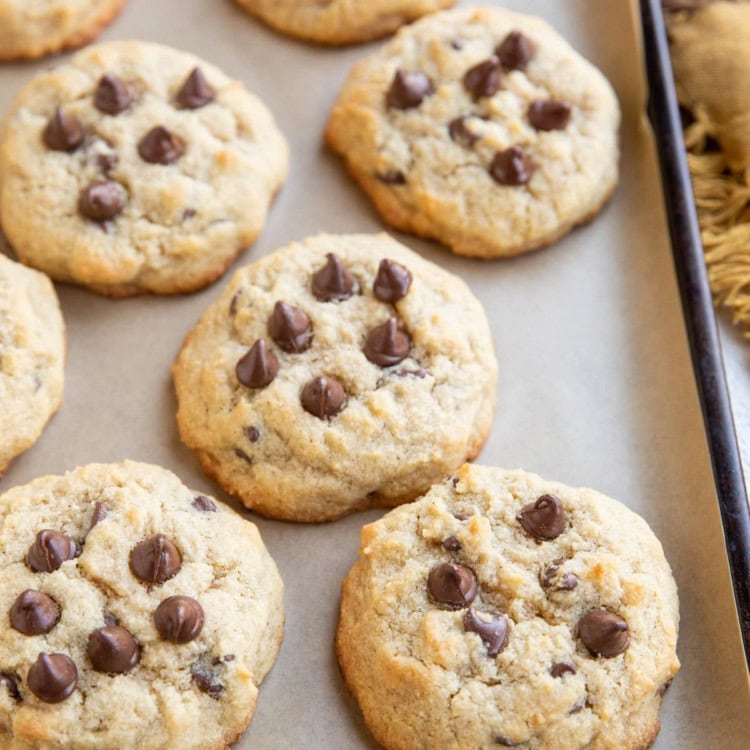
(291, 329)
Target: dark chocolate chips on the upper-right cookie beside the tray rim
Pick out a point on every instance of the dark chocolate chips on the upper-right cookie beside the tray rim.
(512, 166)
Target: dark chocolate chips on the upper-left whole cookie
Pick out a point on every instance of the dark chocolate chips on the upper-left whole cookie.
(103, 199)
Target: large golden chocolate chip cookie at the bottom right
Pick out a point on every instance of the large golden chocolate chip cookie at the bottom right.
(502, 610)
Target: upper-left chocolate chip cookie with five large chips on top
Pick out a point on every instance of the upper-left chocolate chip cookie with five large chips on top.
(137, 168)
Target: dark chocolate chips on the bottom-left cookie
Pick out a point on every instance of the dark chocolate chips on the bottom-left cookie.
(111, 649)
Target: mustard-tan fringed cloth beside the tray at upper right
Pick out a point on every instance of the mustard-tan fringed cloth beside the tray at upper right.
(711, 59)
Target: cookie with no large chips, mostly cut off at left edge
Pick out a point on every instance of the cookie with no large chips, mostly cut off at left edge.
(32, 357)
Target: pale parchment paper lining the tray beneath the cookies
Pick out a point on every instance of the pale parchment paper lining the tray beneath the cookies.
(595, 382)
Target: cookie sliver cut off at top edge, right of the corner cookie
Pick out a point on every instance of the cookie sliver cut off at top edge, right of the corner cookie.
(340, 21)
